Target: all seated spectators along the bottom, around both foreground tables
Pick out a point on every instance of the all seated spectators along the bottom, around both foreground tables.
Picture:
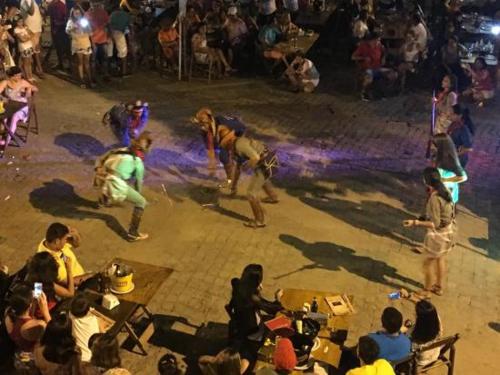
(55, 333)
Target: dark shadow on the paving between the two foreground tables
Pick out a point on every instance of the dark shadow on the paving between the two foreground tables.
(180, 336)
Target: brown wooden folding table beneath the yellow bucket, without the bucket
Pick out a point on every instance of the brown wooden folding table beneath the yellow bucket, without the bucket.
(147, 279)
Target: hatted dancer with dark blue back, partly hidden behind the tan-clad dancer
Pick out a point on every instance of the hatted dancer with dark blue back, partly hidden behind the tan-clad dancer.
(211, 126)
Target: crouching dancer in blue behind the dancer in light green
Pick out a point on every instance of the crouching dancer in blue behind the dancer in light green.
(127, 121)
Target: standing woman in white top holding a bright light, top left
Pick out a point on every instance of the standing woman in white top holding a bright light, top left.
(78, 28)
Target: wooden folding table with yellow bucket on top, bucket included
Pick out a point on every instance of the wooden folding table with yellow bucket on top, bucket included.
(128, 288)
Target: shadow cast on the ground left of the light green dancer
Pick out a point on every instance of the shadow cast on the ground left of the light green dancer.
(58, 198)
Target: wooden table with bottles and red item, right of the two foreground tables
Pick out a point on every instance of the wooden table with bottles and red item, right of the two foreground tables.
(312, 315)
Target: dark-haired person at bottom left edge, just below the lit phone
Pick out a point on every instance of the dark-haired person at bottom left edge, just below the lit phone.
(58, 352)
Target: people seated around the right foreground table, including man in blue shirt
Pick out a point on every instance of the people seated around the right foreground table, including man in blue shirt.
(375, 353)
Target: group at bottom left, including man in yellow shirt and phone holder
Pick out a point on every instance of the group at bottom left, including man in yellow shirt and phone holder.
(54, 333)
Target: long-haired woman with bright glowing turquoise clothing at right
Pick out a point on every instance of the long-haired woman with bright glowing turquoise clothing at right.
(448, 164)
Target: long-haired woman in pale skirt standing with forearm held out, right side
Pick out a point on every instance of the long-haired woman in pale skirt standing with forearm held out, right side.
(439, 221)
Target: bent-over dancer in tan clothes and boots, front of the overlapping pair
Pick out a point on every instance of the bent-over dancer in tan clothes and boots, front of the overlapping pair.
(256, 156)
